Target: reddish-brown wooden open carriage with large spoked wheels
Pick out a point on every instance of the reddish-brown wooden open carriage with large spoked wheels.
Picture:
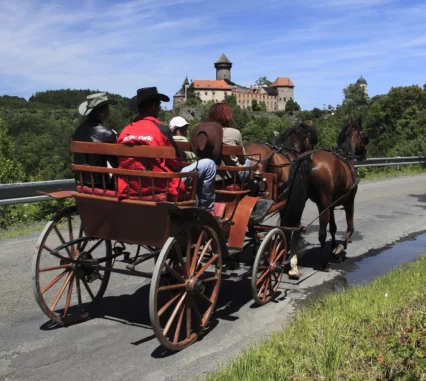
(75, 254)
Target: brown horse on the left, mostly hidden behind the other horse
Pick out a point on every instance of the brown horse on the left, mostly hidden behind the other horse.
(276, 157)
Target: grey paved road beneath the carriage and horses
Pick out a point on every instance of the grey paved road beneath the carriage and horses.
(120, 345)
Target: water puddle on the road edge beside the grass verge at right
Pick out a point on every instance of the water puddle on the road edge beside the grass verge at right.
(382, 261)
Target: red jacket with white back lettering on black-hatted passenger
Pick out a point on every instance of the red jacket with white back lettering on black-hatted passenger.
(149, 131)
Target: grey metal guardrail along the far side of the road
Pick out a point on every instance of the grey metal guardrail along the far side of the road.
(19, 193)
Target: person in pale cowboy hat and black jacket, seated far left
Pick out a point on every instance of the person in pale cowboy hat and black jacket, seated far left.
(95, 111)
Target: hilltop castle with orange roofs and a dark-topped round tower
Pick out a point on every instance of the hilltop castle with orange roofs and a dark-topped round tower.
(275, 96)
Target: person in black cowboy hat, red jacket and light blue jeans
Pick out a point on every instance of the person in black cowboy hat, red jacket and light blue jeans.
(146, 129)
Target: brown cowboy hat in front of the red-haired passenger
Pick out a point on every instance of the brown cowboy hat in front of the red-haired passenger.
(206, 140)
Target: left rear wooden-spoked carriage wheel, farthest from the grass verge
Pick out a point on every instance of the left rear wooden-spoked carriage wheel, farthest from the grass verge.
(67, 292)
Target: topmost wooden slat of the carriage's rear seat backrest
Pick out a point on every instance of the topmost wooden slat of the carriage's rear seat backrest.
(123, 150)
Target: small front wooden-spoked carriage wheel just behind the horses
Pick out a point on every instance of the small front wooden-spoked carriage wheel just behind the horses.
(268, 266)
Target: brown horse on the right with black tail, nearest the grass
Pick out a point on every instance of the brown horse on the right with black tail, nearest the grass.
(328, 179)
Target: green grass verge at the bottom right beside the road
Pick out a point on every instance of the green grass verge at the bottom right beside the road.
(371, 332)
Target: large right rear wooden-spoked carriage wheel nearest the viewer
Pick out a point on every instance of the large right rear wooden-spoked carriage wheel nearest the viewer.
(185, 285)
